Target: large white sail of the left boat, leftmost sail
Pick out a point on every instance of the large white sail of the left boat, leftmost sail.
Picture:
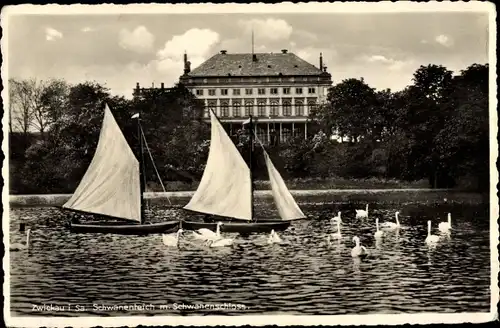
(111, 185)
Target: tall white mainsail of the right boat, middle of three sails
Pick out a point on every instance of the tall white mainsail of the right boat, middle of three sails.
(225, 187)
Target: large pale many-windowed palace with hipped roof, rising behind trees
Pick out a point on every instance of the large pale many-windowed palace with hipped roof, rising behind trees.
(278, 90)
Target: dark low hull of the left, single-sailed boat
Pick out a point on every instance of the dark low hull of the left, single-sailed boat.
(124, 229)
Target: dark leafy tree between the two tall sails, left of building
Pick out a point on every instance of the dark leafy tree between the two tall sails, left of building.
(171, 119)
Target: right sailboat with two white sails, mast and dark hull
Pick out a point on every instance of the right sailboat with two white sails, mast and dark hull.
(226, 189)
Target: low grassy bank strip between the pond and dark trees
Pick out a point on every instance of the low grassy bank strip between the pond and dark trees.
(388, 196)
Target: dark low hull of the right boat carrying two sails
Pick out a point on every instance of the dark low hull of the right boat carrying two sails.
(240, 227)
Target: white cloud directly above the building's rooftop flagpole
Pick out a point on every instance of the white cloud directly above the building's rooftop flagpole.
(270, 29)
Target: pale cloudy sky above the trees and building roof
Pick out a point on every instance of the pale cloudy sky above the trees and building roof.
(120, 50)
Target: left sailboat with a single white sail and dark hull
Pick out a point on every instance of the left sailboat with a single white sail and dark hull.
(112, 189)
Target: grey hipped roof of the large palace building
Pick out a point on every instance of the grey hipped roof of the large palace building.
(267, 64)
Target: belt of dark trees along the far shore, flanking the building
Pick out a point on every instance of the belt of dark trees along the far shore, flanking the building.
(436, 129)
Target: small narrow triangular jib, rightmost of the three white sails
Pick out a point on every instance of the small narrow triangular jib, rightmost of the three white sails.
(287, 207)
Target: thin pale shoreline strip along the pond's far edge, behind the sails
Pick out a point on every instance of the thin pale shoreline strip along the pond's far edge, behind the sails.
(328, 195)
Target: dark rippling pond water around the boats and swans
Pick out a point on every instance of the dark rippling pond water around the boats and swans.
(303, 275)
